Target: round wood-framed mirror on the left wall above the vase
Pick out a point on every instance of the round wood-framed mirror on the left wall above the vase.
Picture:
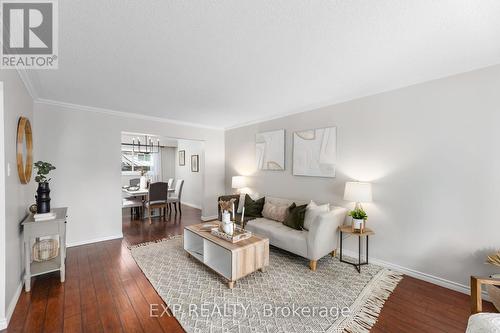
(24, 150)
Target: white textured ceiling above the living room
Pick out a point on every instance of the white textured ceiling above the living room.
(228, 62)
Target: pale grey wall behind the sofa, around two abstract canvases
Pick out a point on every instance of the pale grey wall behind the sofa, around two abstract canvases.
(431, 152)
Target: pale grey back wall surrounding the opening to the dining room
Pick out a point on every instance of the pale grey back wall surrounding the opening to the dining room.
(84, 145)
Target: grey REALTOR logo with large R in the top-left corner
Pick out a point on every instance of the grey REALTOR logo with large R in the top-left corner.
(29, 34)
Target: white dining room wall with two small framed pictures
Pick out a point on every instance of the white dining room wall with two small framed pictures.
(193, 181)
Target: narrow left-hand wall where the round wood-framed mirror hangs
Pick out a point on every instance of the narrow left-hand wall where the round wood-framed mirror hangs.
(17, 102)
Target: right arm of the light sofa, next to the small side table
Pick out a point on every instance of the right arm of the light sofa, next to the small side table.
(323, 234)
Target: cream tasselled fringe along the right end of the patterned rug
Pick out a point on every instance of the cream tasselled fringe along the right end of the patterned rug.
(379, 292)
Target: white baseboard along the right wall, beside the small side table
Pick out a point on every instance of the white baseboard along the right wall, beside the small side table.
(418, 275)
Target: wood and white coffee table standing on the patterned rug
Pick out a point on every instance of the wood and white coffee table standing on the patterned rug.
(232, 261)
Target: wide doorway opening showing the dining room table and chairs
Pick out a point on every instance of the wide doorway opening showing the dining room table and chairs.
(162, 185)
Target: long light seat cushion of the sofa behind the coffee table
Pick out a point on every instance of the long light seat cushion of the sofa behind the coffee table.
(280, 235)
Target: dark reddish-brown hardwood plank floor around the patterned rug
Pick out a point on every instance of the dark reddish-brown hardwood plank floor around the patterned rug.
(105, 291)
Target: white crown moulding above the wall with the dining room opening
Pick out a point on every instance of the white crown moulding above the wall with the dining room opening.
(121, 113)
